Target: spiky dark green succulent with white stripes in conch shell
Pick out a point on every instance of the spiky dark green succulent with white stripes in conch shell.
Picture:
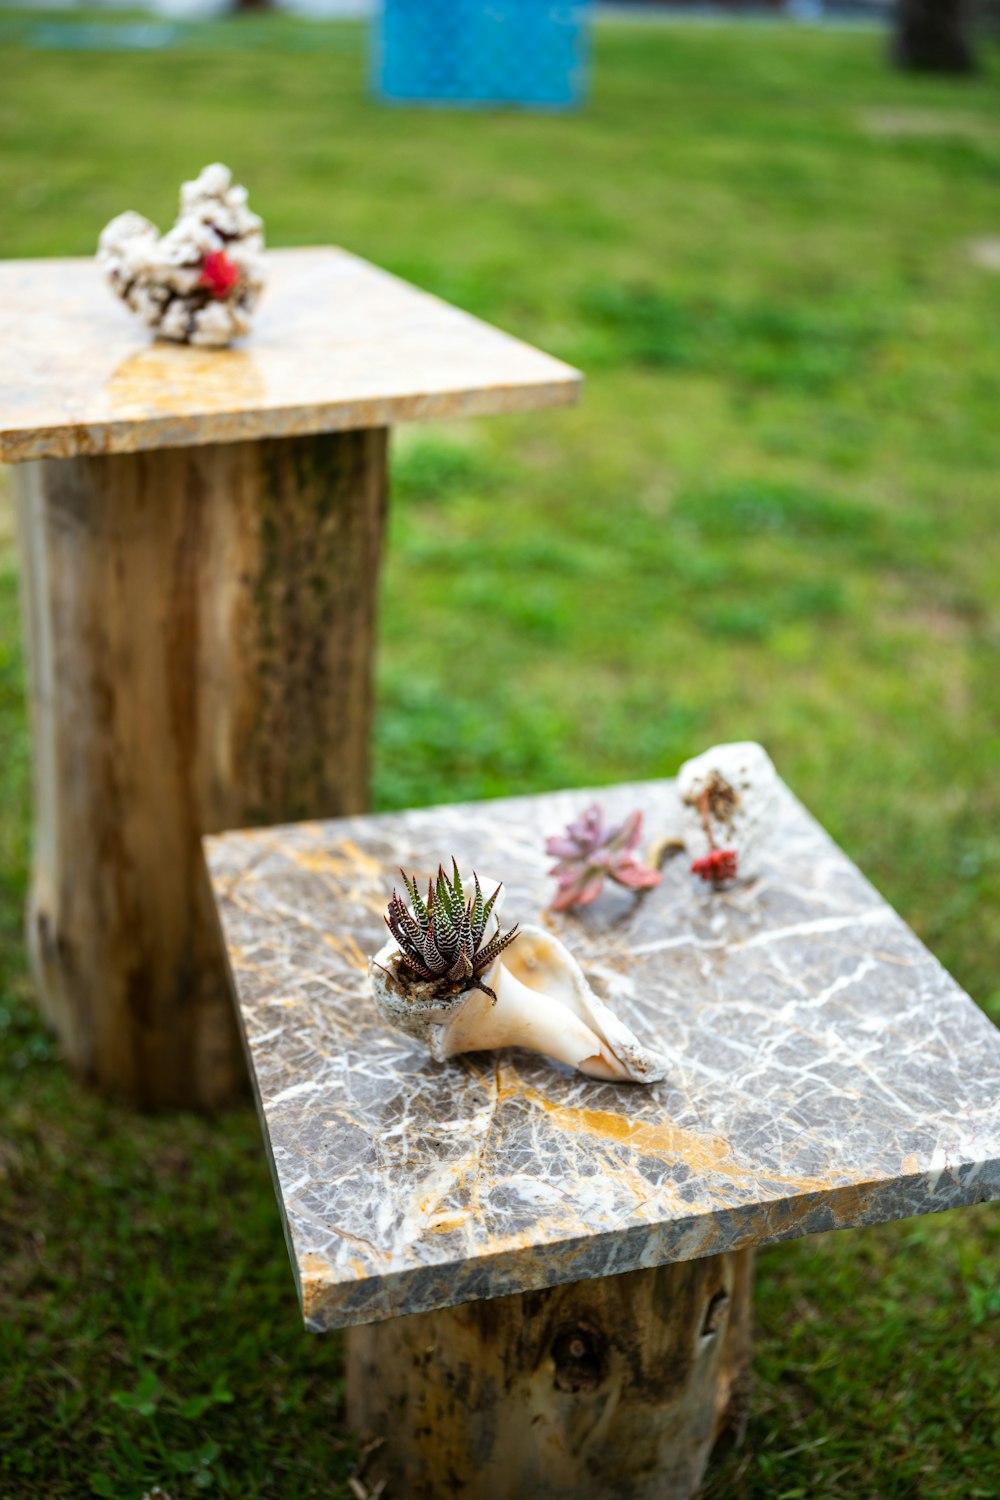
(442, 938)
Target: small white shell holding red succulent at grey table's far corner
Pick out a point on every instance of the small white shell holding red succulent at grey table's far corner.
(729, 805)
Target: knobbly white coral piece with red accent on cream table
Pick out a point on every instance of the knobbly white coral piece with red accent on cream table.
(200, 283)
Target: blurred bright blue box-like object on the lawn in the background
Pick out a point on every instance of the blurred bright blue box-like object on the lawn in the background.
(482, 52)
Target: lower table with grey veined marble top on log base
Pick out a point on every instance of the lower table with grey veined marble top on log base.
(546, 1279)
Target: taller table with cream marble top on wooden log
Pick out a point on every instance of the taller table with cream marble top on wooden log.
(202, 536)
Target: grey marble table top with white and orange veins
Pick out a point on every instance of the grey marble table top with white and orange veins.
(825, 1070)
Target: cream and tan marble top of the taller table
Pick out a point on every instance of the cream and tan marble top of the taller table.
(337, 344)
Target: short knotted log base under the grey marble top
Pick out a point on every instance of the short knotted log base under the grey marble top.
(609, 1390)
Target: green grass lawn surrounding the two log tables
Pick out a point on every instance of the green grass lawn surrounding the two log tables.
(774, 515)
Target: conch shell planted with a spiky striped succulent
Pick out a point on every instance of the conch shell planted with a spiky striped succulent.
(455, 982)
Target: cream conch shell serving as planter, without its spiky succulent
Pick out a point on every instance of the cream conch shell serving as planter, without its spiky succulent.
(543, 1004)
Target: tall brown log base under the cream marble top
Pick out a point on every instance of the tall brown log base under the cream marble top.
(200, 629)
